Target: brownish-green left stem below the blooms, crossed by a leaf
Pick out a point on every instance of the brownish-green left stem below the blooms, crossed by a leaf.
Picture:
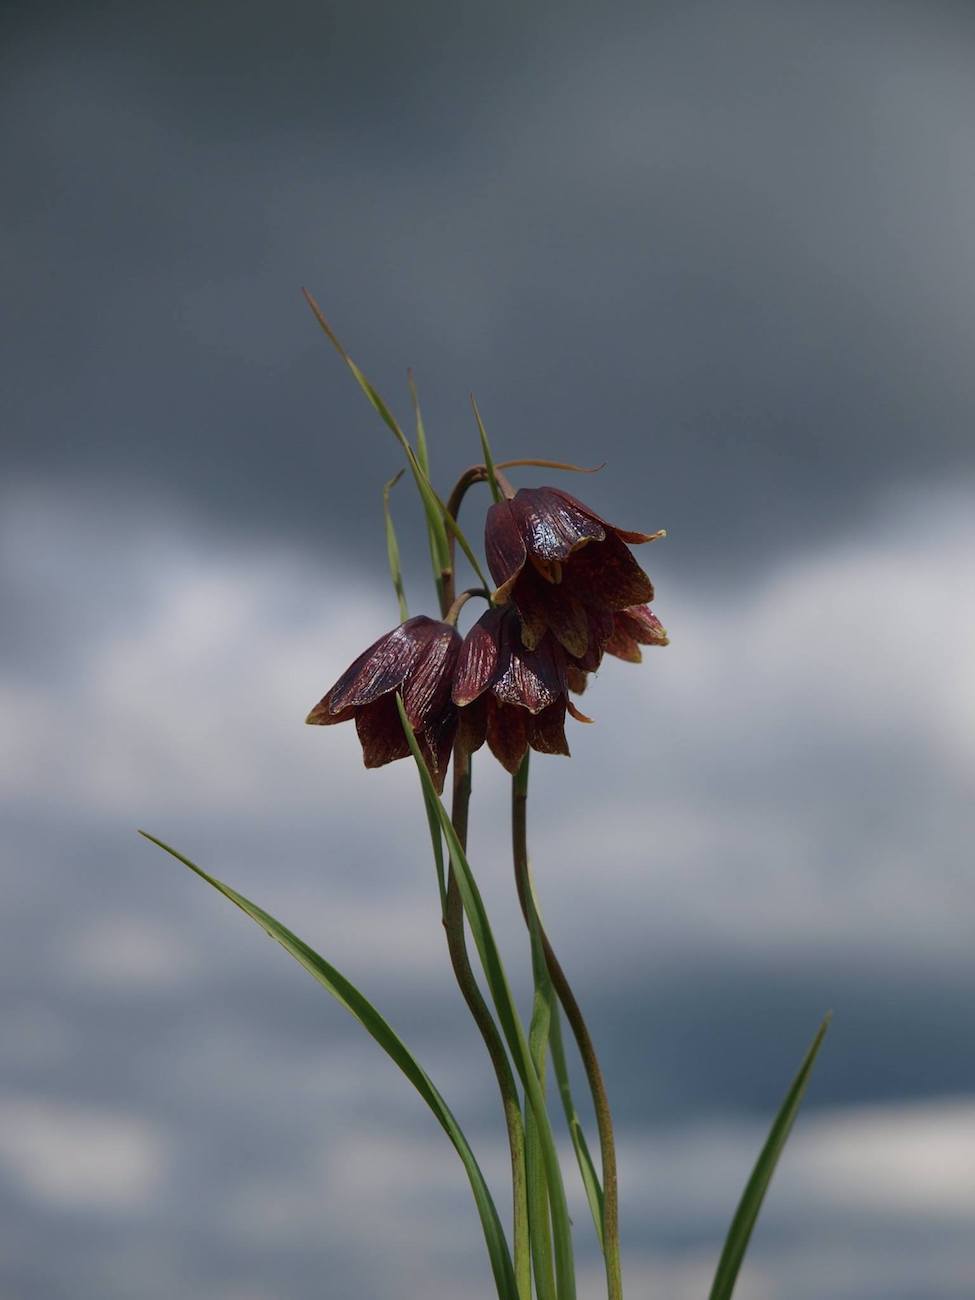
(465, 976)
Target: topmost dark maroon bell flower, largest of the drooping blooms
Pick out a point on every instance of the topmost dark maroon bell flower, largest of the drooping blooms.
(567, 571)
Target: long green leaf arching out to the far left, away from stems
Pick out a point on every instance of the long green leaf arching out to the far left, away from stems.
(392, 1045)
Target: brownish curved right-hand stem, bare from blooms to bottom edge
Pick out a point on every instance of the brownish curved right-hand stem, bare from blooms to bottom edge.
(574, 1015)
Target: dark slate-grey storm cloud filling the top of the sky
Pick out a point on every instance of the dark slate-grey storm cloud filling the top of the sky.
(729, 250)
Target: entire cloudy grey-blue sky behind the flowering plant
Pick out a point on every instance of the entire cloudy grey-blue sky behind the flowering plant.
(727, 249)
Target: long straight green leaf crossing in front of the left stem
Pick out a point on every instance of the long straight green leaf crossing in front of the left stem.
(510, 1022)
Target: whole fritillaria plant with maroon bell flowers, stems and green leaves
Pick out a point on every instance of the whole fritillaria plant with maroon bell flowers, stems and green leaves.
(565, 592)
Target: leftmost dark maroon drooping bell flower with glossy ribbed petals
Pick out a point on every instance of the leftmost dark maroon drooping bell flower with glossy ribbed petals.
(417, 660)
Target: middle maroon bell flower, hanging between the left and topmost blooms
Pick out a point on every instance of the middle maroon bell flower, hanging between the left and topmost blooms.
(509, 695)
